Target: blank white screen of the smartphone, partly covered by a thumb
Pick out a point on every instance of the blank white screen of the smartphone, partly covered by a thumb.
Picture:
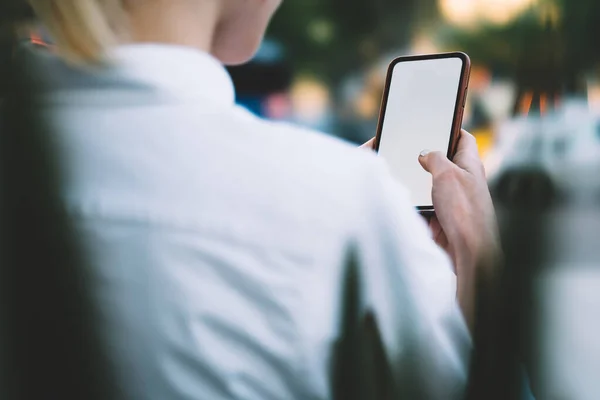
(418, 116)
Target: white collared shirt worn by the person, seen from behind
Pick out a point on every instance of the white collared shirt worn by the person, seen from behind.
(217, 240)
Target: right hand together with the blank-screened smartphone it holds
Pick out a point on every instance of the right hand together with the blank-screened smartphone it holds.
(423, 106)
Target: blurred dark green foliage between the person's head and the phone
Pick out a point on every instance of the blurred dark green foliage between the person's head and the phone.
(331, 38)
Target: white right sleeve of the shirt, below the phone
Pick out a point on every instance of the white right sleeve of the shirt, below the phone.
(409, 286)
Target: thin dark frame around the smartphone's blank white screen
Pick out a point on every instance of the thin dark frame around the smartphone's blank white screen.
(459, 107)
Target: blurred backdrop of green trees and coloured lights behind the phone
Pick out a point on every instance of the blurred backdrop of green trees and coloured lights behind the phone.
(324, 62)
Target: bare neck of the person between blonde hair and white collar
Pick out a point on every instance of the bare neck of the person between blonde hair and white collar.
(178, 22)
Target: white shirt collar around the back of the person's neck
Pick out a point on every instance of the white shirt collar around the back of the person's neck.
(177, 70)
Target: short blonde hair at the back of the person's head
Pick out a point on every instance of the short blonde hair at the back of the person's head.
(83, 30)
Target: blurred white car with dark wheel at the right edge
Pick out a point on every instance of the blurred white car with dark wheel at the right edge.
(538, 161)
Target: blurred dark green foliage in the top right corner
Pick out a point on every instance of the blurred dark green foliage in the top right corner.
(532, 43)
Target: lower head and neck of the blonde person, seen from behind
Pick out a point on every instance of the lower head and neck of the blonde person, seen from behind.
(85, 30)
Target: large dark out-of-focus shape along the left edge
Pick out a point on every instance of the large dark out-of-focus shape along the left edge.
(49, 347)
